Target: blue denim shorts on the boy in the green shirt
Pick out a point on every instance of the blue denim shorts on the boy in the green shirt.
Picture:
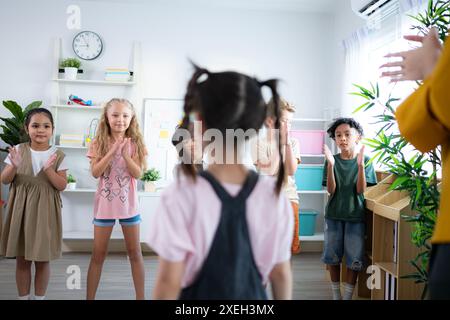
(344, 237)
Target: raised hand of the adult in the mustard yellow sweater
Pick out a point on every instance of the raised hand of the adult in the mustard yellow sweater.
(416, 64)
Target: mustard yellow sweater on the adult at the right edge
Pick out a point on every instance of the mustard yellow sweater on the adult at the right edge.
(424, 120)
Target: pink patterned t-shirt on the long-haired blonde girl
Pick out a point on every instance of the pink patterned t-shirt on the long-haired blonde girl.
(116, 195)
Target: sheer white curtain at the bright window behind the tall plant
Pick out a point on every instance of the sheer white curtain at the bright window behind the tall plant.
(364, 53)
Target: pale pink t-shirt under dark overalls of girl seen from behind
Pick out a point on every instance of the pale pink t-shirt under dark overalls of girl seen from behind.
(184, 225)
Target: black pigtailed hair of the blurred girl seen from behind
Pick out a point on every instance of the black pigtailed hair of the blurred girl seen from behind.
(229, 100)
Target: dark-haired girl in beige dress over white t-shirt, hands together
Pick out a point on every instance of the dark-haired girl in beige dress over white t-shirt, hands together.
(32, 232)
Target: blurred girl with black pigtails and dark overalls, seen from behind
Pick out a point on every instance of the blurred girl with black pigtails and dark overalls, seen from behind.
(226, 232)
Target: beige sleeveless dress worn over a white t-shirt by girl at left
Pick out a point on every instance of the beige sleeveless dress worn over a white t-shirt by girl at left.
(33, 228)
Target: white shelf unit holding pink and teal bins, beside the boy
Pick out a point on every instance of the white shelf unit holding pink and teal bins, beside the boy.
(314, 242)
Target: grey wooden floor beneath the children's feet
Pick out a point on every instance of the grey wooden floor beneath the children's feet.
(310, 282)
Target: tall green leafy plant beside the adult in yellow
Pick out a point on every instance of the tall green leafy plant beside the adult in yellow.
(393, 152)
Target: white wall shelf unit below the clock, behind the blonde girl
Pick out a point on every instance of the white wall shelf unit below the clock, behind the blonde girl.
(76, 119)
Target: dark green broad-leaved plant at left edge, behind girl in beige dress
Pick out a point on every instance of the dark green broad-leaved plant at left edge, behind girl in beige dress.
(13, 129)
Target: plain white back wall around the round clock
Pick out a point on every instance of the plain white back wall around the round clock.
(294, 47)
